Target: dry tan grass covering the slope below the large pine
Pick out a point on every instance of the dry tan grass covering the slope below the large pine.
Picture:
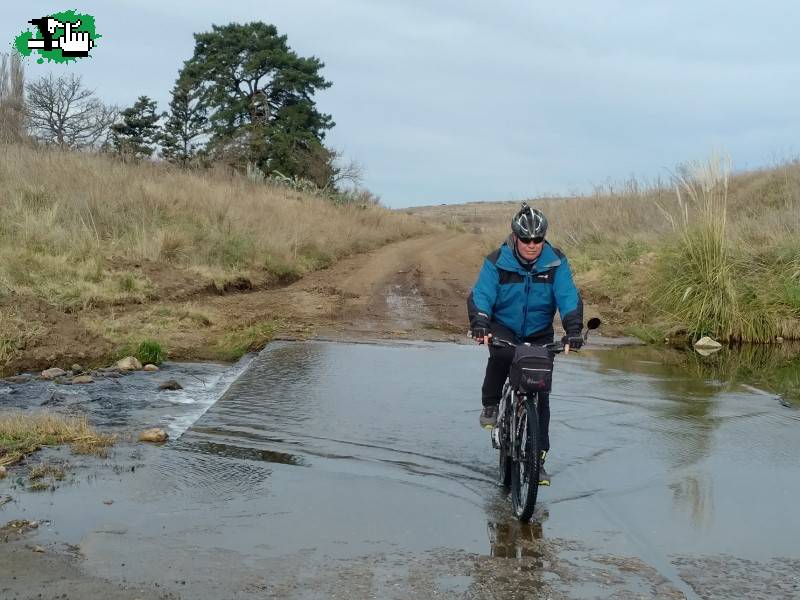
(64, 216)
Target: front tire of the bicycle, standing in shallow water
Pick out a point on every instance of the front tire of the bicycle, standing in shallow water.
(525, 467)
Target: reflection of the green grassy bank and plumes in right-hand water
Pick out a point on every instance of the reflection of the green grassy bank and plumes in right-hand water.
(694, 396)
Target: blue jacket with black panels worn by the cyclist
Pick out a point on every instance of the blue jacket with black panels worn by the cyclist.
(523, 300)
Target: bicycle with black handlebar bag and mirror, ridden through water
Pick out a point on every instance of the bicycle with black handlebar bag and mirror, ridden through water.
(516, 434)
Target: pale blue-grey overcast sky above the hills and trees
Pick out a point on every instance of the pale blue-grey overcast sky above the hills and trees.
(455, 101)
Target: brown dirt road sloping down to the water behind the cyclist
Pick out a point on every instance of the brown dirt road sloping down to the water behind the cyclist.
(413, 289)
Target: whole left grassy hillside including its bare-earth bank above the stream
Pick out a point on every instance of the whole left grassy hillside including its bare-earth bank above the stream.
(85, 238)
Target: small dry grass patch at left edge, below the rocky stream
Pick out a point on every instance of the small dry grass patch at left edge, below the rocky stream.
(23, 433)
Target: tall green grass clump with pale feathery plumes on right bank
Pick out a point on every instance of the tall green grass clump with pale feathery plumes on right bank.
(704, 283)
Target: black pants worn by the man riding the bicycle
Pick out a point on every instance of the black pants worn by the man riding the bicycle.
(500, 358)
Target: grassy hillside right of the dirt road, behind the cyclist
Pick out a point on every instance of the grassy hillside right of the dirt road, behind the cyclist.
(708, 254)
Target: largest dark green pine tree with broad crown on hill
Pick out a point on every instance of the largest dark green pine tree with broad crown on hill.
(258, 92)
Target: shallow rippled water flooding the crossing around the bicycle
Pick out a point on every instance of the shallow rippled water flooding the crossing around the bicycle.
(358, 471)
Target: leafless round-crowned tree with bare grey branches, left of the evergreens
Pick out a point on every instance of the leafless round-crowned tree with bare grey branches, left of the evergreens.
(62, 112)
